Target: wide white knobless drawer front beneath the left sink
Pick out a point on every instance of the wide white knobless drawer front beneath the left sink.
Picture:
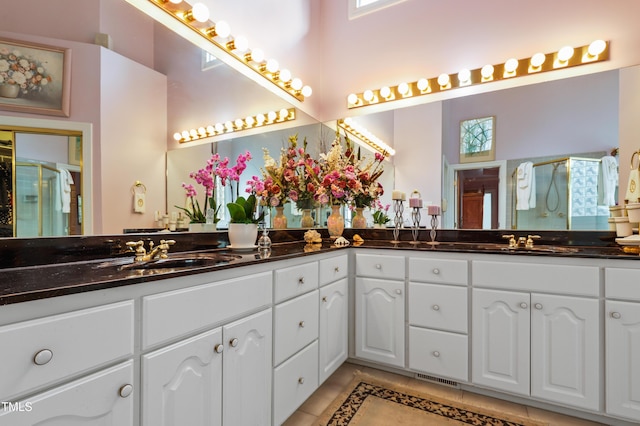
(175, 313)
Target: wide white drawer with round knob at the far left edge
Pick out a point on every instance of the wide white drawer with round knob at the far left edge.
(43, 351)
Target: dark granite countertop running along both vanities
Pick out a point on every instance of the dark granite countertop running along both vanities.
(47, 267)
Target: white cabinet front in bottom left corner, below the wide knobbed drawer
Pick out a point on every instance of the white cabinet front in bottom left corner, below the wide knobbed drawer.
(104, 398)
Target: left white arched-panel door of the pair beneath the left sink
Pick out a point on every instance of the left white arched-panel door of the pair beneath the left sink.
(182, 383)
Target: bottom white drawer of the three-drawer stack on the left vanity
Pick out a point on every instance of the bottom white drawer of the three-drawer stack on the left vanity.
(294, 381)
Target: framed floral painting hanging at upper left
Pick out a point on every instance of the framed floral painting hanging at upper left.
(34, 78)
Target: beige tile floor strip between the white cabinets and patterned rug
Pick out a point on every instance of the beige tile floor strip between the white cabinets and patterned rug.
(308, 412)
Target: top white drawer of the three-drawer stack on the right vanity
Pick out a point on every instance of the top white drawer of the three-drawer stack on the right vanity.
(439, 271)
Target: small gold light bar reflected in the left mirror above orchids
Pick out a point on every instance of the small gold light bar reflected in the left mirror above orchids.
(236, 125)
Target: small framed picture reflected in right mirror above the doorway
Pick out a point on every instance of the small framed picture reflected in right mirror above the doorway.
(477, 140)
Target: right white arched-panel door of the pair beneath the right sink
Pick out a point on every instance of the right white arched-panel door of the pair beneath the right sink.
(565, 354)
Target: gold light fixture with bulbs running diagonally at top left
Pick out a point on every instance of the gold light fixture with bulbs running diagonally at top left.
(192, 22)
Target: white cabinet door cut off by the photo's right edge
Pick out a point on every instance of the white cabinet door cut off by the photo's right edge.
(623, 359)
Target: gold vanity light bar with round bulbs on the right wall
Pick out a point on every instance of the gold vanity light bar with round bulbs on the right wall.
(566, 57)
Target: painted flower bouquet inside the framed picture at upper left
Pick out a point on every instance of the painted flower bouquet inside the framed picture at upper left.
(16, 68)
